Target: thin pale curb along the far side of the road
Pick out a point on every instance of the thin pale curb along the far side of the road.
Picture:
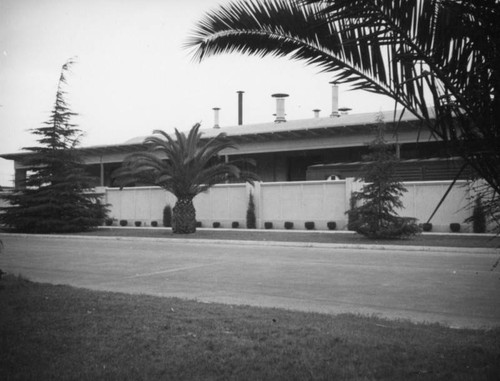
(404, 248)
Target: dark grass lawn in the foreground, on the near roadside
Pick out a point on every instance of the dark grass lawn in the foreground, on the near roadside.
(52, 332)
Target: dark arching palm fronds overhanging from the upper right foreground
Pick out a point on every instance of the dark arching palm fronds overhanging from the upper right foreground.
(440, 54)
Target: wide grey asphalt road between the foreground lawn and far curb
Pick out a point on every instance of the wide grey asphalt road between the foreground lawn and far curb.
(458, 289)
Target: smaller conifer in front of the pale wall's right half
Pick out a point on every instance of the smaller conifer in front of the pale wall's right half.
(376, 217)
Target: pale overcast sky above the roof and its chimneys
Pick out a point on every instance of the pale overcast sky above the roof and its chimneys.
(133, 74)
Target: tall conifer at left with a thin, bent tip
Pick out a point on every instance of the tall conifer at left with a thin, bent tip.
(56, 195)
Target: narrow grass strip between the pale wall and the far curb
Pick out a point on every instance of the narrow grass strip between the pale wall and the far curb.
(451, 240)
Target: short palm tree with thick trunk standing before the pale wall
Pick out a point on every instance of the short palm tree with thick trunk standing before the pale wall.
(184, 166)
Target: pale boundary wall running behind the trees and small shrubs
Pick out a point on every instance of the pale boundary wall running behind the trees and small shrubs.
(297, 202)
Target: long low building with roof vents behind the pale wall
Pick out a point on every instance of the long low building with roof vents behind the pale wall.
(298, 150)
